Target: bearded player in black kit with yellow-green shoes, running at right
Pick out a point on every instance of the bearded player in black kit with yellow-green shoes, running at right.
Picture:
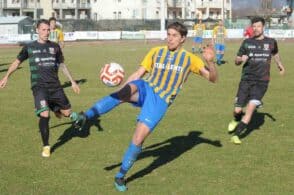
(255, 53)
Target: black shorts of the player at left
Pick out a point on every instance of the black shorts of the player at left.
(53, 99)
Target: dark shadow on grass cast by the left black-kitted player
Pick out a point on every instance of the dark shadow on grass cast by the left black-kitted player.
(72, 132)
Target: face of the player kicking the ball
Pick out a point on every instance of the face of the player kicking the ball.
(174, 39)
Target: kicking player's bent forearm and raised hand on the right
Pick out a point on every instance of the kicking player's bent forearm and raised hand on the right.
(209, 72)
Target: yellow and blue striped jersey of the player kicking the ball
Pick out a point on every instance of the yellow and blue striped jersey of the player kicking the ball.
(169, 70)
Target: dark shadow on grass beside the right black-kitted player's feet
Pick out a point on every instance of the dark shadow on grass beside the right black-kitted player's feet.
(256, 122)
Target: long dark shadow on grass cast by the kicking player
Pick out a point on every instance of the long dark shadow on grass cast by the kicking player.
(168, 151)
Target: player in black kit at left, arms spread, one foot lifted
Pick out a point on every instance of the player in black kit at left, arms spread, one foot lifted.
(45, 57)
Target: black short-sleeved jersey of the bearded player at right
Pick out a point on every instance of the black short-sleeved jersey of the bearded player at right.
(257, 67)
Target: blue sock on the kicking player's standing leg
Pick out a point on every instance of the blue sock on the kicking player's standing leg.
(129, 158)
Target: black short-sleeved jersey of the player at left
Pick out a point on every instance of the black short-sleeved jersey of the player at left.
(44, 60)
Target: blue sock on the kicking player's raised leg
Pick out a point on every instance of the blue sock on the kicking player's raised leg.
(102, 106)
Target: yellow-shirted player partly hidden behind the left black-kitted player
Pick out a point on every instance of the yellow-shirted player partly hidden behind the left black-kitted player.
(56, 34)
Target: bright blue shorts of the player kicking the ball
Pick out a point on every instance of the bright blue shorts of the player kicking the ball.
(152, 106)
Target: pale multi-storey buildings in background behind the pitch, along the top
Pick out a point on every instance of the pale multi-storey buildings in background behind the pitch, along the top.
(117, 9)
